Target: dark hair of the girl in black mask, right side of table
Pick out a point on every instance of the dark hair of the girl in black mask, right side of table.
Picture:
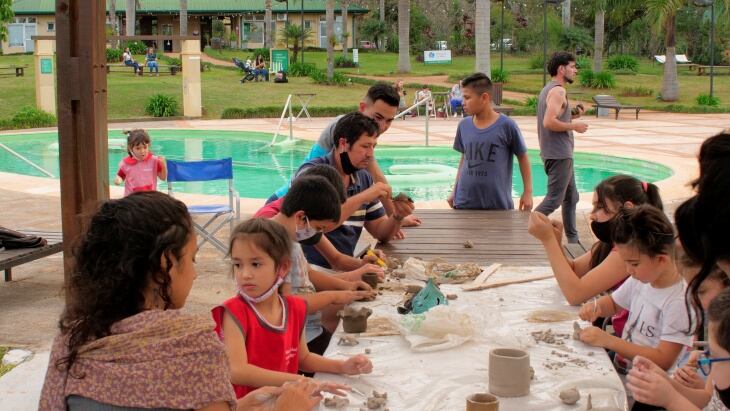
(620, 189)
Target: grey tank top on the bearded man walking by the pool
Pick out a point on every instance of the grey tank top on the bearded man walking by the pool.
(554, 145)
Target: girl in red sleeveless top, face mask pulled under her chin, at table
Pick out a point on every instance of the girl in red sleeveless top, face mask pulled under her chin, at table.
(263, 331)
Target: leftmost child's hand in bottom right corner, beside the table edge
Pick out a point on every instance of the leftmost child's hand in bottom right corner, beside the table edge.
(650, 387)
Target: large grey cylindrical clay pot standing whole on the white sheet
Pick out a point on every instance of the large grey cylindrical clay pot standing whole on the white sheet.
(509, 372)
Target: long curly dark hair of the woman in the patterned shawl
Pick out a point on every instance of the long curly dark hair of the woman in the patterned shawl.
(117, 259)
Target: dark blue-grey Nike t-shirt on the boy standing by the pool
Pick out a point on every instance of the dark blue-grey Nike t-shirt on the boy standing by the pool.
(485, 179)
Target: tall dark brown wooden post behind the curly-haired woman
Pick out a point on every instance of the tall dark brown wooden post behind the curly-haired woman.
(82, 115)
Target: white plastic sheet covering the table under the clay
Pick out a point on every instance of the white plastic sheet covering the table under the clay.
(441, 380)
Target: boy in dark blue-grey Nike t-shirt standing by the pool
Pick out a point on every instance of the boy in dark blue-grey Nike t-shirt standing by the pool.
(488, 141)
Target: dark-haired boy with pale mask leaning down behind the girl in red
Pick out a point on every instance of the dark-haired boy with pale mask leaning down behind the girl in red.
(310, 208)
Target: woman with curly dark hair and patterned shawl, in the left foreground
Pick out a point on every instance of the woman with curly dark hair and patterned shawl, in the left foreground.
(124, 342)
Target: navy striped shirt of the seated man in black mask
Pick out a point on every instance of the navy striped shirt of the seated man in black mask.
(345, 237)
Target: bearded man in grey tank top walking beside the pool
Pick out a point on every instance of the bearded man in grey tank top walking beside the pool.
(555, 134)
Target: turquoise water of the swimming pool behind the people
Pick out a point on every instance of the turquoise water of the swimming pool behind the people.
(259, 170)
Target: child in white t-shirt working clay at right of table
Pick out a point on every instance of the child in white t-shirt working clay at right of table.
(654, 294)
